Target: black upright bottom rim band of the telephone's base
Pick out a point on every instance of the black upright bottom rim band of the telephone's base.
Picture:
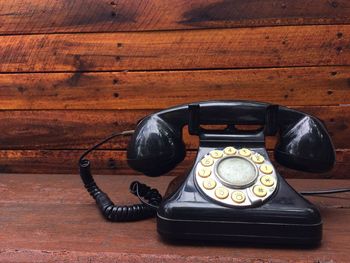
(240, 232)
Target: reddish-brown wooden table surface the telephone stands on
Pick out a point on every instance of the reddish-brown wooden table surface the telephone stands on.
(52, 218)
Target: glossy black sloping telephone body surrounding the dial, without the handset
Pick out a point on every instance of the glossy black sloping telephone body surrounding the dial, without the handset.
(285, 218)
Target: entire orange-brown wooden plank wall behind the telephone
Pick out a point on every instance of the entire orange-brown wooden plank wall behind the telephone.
(73, 71)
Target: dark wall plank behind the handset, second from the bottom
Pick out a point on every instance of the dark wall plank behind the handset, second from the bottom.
(79, 129)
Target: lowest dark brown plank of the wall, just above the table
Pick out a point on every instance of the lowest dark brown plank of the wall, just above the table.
(114, 162)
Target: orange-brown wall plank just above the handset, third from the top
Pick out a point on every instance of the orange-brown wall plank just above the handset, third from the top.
(149, 90)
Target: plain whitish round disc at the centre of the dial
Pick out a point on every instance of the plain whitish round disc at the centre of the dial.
(236, 171)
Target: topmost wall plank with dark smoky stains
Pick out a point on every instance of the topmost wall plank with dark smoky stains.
(46, 16)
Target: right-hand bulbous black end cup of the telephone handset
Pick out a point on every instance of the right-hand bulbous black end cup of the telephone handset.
(304, 143)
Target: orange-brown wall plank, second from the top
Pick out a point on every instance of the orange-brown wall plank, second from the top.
(189, 49)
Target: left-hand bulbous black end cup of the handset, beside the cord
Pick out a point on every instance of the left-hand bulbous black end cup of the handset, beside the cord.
(156, 147)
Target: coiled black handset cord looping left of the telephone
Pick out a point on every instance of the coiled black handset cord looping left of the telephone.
(119, 213)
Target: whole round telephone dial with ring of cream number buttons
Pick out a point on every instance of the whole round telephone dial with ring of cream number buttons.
(236, 177)
